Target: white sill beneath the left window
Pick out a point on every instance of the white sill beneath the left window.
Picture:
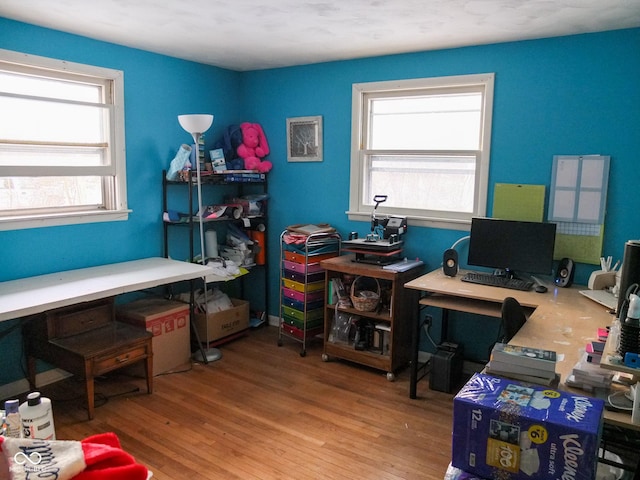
(54, 220)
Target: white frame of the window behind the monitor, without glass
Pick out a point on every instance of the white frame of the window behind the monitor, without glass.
(360, 209)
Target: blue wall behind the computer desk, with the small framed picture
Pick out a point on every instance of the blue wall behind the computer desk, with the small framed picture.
(566, 95)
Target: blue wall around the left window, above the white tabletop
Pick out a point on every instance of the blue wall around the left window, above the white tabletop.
(157, 89)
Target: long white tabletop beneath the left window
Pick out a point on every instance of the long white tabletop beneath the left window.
(31, 295)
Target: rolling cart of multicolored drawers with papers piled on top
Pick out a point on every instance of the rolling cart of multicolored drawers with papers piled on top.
(302, 286)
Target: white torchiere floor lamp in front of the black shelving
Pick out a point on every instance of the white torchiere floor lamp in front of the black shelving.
(196, 125)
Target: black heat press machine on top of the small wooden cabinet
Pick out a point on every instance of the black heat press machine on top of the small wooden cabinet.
(384, 244)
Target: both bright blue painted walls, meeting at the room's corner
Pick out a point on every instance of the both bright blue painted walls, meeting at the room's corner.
(566, 95)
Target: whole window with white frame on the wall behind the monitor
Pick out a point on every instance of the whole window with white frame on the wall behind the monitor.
(425, 144)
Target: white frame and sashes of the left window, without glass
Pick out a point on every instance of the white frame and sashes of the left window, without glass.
(114, 181)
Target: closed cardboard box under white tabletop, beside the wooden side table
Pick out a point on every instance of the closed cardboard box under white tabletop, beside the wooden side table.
(169, 322)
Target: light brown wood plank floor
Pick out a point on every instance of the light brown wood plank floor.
(265, 412)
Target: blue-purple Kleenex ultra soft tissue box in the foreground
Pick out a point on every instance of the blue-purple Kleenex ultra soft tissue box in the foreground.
(511, 430)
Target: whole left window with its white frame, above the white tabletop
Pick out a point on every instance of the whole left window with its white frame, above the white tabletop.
(62, 153)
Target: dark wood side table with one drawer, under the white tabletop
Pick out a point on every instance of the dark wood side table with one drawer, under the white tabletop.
(86, 340)
